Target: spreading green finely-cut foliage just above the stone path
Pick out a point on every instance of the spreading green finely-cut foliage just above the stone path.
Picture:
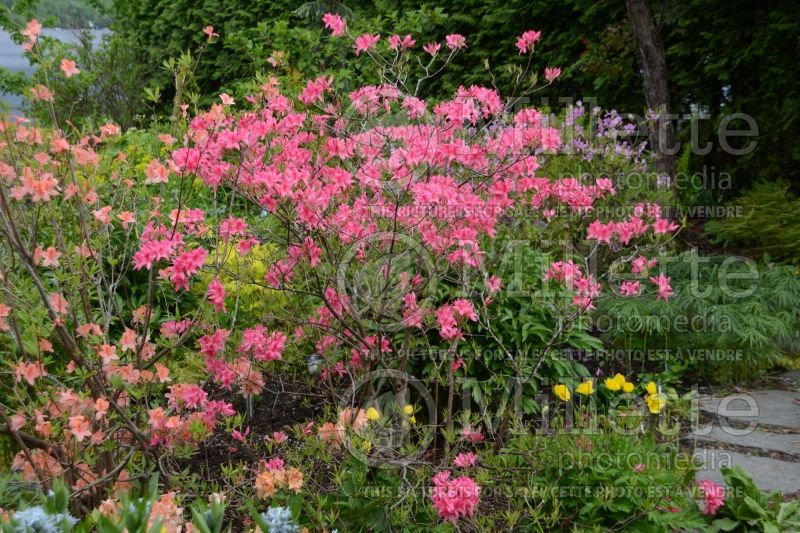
(727, 318)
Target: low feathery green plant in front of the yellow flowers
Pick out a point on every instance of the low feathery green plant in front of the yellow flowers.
(601, 481)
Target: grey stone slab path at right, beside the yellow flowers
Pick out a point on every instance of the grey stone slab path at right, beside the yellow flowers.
(757, 430)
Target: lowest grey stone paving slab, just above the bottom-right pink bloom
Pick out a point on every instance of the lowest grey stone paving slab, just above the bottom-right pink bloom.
(767, 473)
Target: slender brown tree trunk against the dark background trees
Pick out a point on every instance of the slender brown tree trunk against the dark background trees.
(654, 77)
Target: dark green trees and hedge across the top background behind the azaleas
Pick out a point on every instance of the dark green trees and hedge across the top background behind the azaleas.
(722, 58)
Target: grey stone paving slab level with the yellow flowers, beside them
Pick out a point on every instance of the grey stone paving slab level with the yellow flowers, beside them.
(777, 408)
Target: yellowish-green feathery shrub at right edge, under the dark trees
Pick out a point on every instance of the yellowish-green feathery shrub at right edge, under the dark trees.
(769, 223)
